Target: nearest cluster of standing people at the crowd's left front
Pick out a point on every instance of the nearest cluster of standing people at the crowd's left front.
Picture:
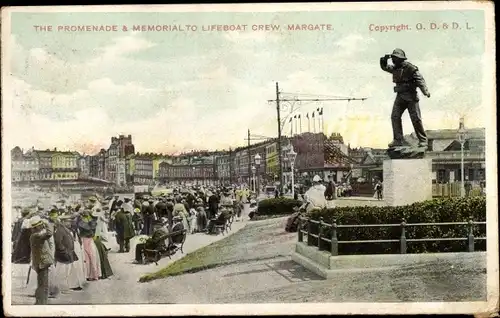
(64, 245)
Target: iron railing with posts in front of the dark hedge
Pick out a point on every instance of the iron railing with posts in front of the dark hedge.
(403, 240)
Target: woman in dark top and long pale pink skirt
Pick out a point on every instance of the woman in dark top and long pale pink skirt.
(86, 227)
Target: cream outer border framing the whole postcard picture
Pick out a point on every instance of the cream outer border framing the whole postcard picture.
(489, 98)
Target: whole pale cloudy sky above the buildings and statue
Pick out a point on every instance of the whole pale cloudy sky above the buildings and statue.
(178, 91)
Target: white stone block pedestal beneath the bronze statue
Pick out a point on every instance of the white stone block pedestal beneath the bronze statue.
(407, 181)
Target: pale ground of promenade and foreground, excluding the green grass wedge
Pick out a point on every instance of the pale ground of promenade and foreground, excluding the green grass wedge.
(261, 271)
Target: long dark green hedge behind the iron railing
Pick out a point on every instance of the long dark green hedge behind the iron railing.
(432, 211)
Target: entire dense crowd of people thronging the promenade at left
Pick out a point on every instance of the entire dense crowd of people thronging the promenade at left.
(66, 245)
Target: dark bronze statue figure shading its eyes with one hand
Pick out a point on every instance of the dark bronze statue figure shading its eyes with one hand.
(406, 78)
